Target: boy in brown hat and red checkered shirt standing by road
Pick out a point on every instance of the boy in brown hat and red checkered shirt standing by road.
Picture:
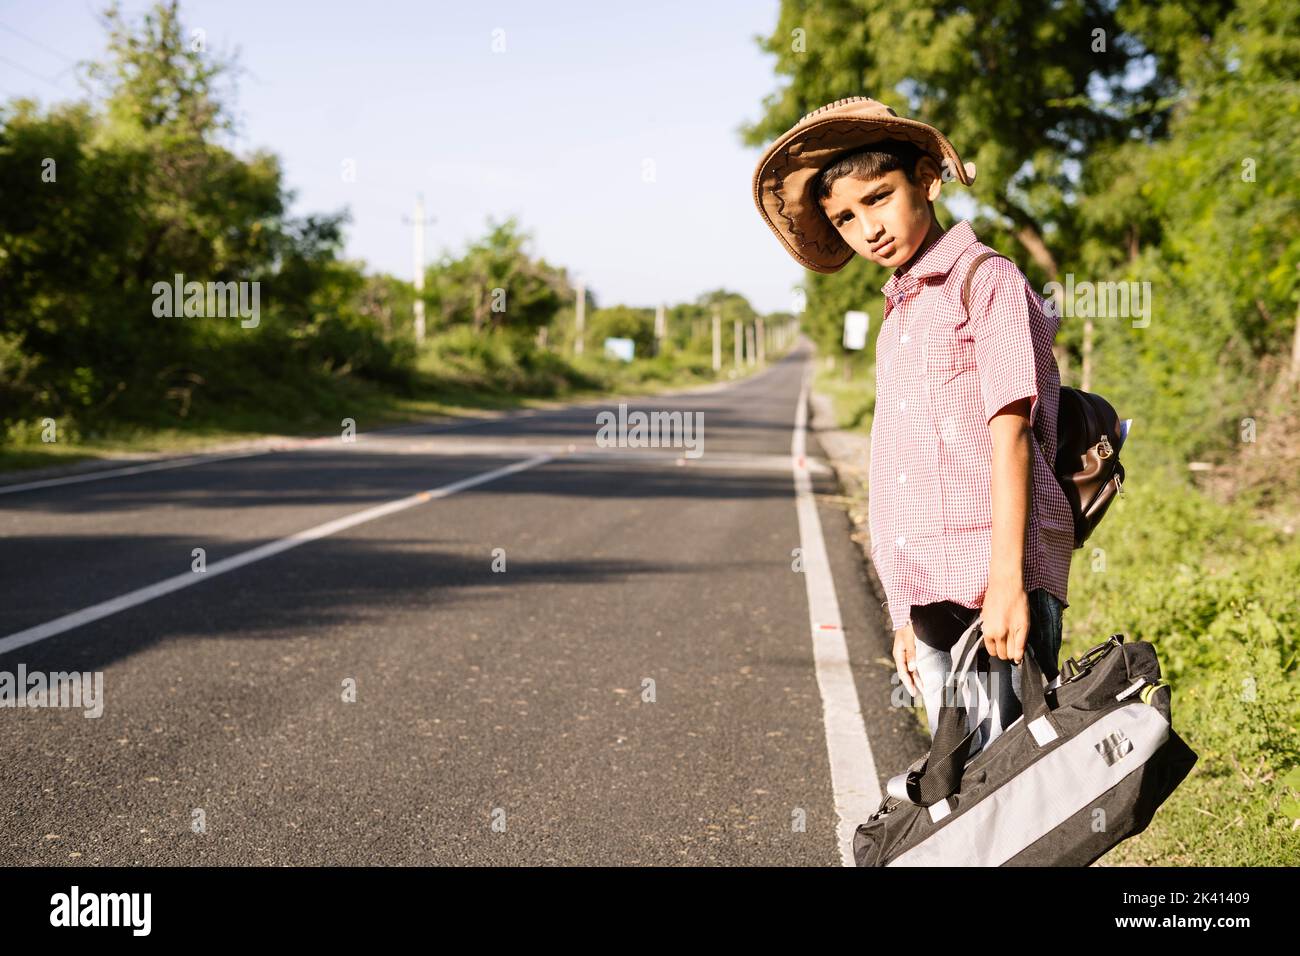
(968, 520)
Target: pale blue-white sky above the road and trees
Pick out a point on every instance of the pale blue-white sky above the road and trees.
(608, 129)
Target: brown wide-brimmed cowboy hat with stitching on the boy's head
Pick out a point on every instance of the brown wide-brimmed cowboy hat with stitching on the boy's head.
(783, 180)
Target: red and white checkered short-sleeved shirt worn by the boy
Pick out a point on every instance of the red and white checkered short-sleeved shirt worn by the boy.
(941, 378)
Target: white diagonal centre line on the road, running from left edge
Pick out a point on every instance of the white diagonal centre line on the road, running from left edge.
(187, 579)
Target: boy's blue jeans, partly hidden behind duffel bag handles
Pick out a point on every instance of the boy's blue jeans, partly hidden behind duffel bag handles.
(939, 626)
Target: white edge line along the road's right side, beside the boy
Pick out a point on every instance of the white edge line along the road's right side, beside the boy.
(853, 768)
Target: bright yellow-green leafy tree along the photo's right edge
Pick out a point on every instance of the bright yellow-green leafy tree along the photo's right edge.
(1219, 209)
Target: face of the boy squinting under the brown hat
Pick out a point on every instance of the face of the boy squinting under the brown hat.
(889, 218)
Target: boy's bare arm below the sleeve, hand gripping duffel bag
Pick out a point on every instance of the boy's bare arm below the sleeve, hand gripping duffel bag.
(1007, 607)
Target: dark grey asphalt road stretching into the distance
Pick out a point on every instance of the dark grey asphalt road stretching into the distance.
(639, 686)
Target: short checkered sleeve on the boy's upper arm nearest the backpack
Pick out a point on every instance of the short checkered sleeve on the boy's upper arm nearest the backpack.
(1000, 306)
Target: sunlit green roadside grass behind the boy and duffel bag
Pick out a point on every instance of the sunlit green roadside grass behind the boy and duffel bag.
(1212, 586)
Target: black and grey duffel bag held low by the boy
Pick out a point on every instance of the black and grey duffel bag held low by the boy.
(1085, 767)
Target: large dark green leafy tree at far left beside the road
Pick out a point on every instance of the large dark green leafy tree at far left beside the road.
(110, 198)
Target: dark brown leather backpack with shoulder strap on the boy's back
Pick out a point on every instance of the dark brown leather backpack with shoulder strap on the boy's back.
(1089, 440)
